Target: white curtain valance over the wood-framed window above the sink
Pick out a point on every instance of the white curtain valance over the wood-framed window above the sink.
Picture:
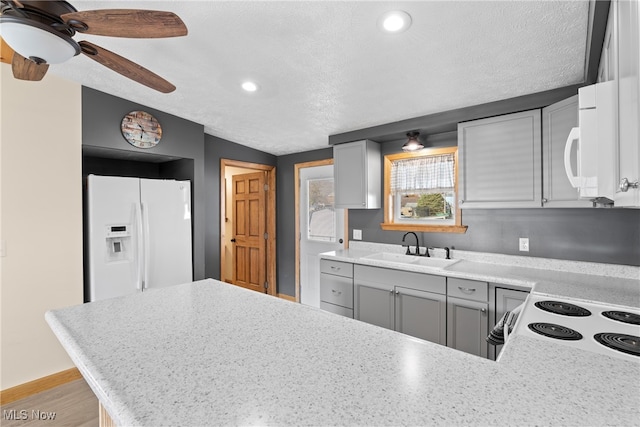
(433, 173)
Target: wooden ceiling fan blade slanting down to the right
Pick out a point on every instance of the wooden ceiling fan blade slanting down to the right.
(126, 67)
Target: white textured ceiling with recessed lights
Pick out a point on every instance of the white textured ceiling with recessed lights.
(325, 68)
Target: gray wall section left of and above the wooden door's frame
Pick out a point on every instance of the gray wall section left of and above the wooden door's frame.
(214, 150)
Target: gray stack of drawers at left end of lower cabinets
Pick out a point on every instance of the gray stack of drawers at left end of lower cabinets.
(336, 287)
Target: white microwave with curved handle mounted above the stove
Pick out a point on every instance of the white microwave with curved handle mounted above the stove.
(593, 169)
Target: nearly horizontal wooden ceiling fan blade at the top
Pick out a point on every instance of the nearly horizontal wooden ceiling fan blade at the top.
(132, 23)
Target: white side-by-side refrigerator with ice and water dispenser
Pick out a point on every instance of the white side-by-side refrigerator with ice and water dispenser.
(139, 235)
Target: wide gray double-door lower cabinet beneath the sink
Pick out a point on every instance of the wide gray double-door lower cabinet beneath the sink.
(411, 303)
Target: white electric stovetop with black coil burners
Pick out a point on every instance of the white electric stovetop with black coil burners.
(599, 328)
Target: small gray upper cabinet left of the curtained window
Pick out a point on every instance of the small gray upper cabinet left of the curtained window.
(358, 175)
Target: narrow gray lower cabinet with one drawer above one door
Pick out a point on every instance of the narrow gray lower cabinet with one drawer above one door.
(468, 316)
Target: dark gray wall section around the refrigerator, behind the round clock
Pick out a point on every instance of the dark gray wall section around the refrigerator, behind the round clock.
(181, 139)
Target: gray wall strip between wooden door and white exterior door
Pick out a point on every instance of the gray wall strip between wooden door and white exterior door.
(285, 201)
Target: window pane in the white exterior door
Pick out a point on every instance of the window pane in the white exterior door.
(322, 218)
